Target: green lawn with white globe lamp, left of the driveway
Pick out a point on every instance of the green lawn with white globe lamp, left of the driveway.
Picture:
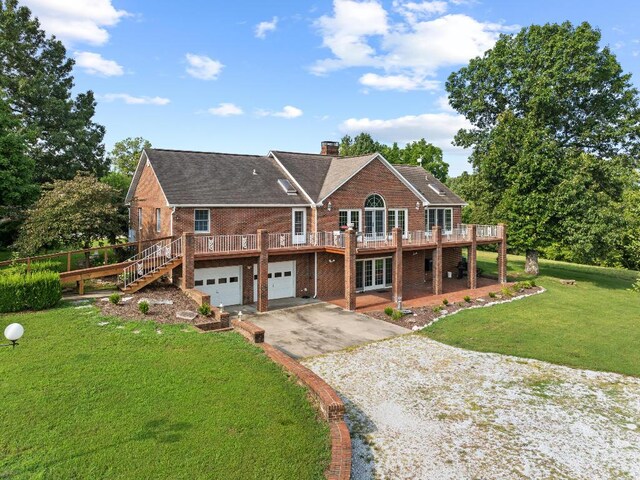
(80, 400)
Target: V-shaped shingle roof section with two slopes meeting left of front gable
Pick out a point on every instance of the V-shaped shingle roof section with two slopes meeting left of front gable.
(320, 174)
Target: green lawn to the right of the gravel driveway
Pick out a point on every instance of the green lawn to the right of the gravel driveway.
(594, 324)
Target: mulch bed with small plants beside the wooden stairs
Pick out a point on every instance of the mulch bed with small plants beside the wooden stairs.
(158, 313)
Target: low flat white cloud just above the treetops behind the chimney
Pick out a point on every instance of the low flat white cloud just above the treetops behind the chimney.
(437, 128)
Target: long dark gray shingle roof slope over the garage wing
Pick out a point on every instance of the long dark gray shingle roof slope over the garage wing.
(200, 178)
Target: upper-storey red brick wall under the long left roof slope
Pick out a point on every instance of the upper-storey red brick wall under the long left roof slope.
(233, 221)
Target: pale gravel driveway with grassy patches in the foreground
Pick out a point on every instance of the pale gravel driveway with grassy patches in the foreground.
(419, 409)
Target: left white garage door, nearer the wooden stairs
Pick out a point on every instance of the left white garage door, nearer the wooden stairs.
(224, 284)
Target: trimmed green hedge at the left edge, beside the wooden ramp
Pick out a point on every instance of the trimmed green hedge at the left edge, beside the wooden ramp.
(35, 291)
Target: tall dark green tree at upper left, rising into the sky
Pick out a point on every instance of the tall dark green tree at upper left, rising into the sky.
(36, 81)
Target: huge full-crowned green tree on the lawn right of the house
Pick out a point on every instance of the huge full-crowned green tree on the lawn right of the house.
(555, 129)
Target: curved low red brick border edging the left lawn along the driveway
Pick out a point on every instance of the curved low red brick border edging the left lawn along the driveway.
(330, 404)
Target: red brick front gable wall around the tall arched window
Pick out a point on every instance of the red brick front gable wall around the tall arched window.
(374, 178)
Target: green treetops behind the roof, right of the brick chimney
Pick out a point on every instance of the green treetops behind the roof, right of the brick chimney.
(429, 155)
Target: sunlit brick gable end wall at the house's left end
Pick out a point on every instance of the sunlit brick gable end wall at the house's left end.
(149, 196)
